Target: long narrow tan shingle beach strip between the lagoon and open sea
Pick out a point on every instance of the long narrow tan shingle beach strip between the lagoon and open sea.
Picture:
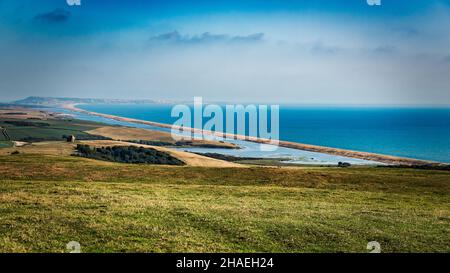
(386, 159)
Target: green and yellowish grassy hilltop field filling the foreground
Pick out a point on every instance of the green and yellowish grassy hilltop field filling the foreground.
(46, 201)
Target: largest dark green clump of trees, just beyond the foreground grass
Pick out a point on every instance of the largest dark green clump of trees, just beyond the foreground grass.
(128, 154)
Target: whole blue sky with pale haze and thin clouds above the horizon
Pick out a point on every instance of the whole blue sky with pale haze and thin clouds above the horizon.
(319, 52)
